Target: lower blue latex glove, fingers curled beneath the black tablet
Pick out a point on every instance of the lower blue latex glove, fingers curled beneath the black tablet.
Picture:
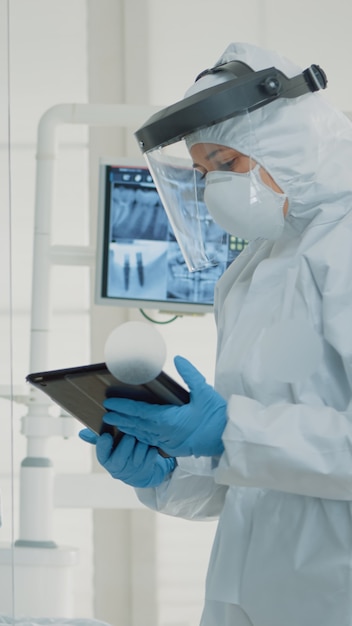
(133, 462)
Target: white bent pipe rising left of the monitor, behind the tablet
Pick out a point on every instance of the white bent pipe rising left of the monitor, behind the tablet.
(36, 471)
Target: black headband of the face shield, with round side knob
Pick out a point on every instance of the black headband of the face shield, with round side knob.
(246, 91)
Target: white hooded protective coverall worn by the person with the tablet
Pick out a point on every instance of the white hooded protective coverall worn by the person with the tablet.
(282, 490)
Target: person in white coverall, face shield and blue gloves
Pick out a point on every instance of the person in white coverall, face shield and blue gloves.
(269, 452)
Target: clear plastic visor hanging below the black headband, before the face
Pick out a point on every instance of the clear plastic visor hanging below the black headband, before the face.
(181, 181)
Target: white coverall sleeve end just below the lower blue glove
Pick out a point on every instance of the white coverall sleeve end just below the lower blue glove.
(190, 492)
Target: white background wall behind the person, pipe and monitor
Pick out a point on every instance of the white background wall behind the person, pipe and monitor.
(150, 52)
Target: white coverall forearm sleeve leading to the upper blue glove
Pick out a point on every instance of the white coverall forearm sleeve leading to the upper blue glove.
(287, 447)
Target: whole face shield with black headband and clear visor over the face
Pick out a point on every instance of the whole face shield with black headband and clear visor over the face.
(198, 176)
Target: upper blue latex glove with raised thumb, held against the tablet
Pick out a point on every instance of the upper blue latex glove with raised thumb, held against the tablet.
(191, 429)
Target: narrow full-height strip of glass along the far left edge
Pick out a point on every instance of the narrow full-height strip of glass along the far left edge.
(7, 391)
